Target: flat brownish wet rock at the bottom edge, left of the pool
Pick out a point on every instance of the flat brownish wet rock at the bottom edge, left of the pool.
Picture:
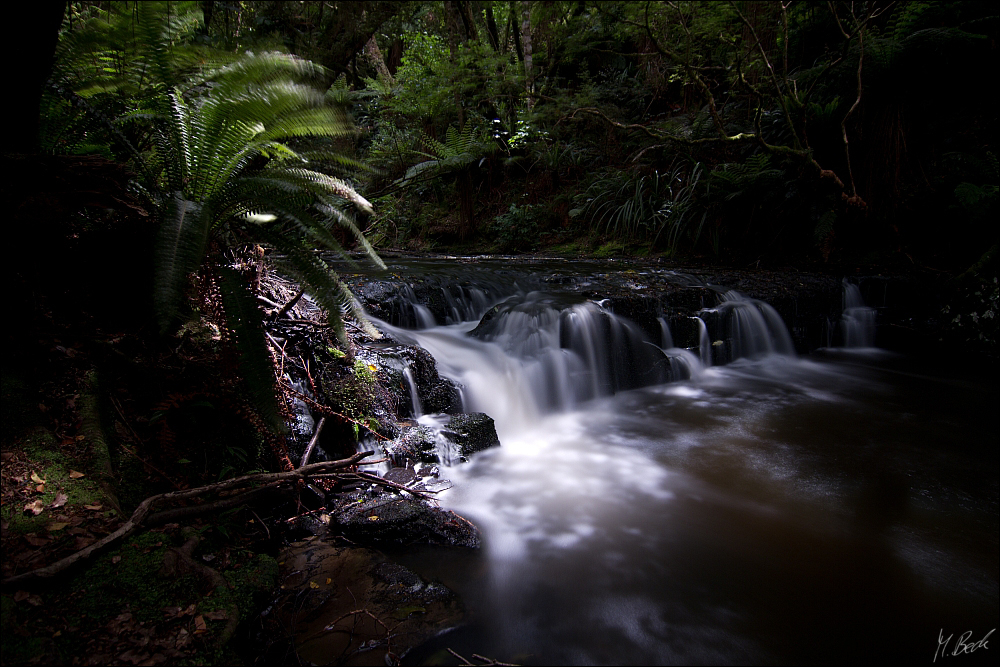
(331, 596)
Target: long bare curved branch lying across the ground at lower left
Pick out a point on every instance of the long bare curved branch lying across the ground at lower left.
(139, 515)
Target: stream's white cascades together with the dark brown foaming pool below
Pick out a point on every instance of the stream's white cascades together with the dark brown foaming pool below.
(647, 507)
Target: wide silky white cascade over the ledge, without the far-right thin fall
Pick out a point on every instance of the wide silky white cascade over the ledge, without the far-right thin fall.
(538, 353)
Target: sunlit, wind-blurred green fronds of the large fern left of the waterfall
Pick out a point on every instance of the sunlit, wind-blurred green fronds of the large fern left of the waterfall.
(214, 144)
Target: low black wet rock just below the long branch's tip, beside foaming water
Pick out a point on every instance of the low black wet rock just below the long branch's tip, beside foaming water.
(389, 518)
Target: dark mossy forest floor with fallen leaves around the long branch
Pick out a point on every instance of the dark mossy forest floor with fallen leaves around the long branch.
(63, 489)
